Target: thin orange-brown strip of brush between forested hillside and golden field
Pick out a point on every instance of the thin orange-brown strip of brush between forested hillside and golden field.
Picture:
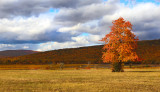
(68, 66)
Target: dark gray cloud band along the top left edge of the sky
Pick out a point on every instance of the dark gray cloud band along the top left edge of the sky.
(35, 7)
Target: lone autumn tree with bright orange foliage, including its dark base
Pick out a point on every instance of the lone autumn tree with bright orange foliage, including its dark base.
(120, 45)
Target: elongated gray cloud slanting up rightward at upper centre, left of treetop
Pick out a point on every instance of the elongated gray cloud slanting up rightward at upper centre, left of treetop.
(84, 14)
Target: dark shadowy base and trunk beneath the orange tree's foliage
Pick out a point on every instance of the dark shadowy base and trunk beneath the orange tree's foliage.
(117, 67)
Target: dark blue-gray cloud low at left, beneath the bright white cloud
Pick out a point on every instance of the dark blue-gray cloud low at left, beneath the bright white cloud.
(14, 38)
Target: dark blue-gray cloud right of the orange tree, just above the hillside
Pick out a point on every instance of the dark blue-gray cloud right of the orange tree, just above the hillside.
(148, 30)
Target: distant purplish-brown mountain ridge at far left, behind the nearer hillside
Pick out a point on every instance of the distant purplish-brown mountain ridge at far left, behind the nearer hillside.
(15, 53)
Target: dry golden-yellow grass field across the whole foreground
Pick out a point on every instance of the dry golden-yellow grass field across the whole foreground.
(101, 80)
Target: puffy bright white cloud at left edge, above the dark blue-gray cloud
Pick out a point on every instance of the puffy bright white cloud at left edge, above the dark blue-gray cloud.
(25, 27)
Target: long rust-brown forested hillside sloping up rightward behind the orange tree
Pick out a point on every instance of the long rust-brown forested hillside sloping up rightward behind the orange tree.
(149, 51)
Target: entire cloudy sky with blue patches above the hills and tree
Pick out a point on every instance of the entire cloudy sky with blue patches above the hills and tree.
(44, 25)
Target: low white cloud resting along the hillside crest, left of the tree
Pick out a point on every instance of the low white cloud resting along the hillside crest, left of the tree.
(78, 42)
